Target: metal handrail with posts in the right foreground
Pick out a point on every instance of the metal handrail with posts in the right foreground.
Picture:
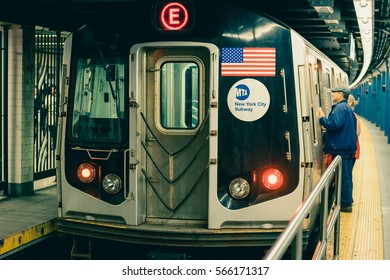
(292, 234)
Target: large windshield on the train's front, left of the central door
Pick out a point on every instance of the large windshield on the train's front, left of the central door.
(99, 100)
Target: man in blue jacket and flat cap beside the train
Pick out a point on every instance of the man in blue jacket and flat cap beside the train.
(340, 139)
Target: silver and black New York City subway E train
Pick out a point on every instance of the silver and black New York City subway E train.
(193, 125)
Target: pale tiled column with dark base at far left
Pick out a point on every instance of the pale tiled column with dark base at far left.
(21, 111)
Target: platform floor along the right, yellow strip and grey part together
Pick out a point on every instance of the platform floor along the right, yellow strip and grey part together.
(365, 233)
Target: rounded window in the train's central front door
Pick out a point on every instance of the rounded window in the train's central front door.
(179, 96)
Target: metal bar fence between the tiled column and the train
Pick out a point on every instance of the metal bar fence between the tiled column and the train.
(48, 58)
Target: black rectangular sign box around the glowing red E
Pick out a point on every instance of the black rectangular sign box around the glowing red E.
(174, 16)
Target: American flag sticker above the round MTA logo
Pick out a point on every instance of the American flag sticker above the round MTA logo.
(248, 62)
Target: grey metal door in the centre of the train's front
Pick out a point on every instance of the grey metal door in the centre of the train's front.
(173, 92)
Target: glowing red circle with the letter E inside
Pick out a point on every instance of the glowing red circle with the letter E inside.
(174, 16)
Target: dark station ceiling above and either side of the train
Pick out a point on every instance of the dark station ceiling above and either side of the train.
(327, 24)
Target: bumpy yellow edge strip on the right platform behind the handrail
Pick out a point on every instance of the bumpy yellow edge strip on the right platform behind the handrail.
(361, 236)
